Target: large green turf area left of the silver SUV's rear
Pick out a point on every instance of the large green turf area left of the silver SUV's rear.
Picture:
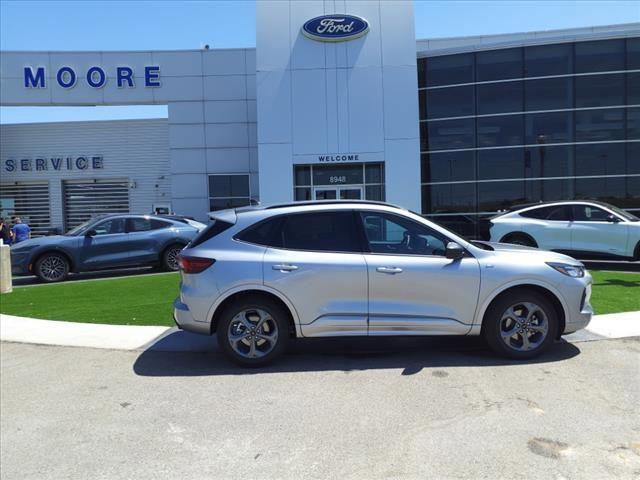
(137, 300)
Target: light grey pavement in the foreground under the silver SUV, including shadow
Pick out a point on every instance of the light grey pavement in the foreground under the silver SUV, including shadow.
(368, 408)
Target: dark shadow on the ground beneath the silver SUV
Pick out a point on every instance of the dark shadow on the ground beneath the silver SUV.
(179, 354)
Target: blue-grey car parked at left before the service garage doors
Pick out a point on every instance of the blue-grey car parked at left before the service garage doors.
(113, 241)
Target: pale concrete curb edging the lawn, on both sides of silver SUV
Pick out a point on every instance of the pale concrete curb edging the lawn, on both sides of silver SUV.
(133, 337)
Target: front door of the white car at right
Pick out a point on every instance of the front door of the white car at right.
(592, 231)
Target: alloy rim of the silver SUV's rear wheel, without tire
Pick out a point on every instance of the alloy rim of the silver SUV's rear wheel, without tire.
(253, 333)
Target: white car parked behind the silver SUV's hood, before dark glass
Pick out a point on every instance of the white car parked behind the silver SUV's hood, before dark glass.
(584, 229)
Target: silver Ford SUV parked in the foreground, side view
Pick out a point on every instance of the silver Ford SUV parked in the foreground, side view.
(258, 277)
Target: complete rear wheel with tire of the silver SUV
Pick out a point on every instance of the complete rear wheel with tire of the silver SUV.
(253, 332)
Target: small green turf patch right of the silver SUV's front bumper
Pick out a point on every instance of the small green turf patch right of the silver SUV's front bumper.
(615, 292)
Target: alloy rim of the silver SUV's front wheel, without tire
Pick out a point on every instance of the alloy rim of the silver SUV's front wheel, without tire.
(524, 326)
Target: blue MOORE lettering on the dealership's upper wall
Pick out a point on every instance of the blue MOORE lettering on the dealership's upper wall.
(96, 76)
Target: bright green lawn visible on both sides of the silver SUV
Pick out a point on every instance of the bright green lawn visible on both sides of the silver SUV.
(147, 300)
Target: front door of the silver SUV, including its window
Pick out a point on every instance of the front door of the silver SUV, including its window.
(413, 288)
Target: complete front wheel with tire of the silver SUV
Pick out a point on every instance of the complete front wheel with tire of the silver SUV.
(521, 308)
